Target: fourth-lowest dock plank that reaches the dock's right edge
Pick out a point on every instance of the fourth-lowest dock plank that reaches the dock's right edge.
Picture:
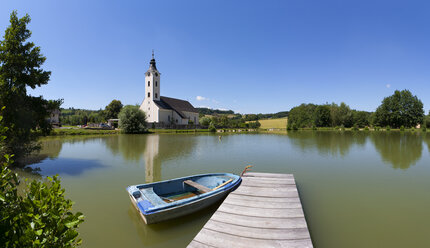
(249, 211)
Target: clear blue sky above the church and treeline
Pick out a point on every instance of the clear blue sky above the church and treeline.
(248, 56)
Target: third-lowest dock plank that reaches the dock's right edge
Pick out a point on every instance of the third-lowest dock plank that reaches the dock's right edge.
(260, 222)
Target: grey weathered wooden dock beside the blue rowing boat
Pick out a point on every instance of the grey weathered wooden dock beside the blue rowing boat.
(265, 211)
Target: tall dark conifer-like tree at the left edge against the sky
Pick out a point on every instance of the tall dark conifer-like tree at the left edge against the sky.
(20, 67)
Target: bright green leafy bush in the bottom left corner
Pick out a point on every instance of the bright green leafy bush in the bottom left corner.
(39, 215)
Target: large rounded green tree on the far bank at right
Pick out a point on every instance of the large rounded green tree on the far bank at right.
(400, 109)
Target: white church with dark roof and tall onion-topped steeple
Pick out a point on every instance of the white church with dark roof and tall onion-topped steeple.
(161, 109)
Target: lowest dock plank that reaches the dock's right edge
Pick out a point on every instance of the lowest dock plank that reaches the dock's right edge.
(219, 239)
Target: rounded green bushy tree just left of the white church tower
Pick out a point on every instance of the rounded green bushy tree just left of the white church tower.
(132, 120)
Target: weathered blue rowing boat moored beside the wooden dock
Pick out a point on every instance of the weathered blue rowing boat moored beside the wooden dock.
(165, 200)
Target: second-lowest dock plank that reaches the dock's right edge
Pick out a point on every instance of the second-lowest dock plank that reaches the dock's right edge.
(258, 233)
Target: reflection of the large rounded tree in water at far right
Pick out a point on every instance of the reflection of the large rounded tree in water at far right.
(400, 149)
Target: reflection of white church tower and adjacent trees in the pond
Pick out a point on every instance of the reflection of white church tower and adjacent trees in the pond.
(154, 149)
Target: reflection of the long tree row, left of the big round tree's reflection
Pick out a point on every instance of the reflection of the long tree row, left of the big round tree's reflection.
(328, 142)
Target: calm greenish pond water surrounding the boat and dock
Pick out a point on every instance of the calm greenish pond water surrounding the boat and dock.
(358, 189)
